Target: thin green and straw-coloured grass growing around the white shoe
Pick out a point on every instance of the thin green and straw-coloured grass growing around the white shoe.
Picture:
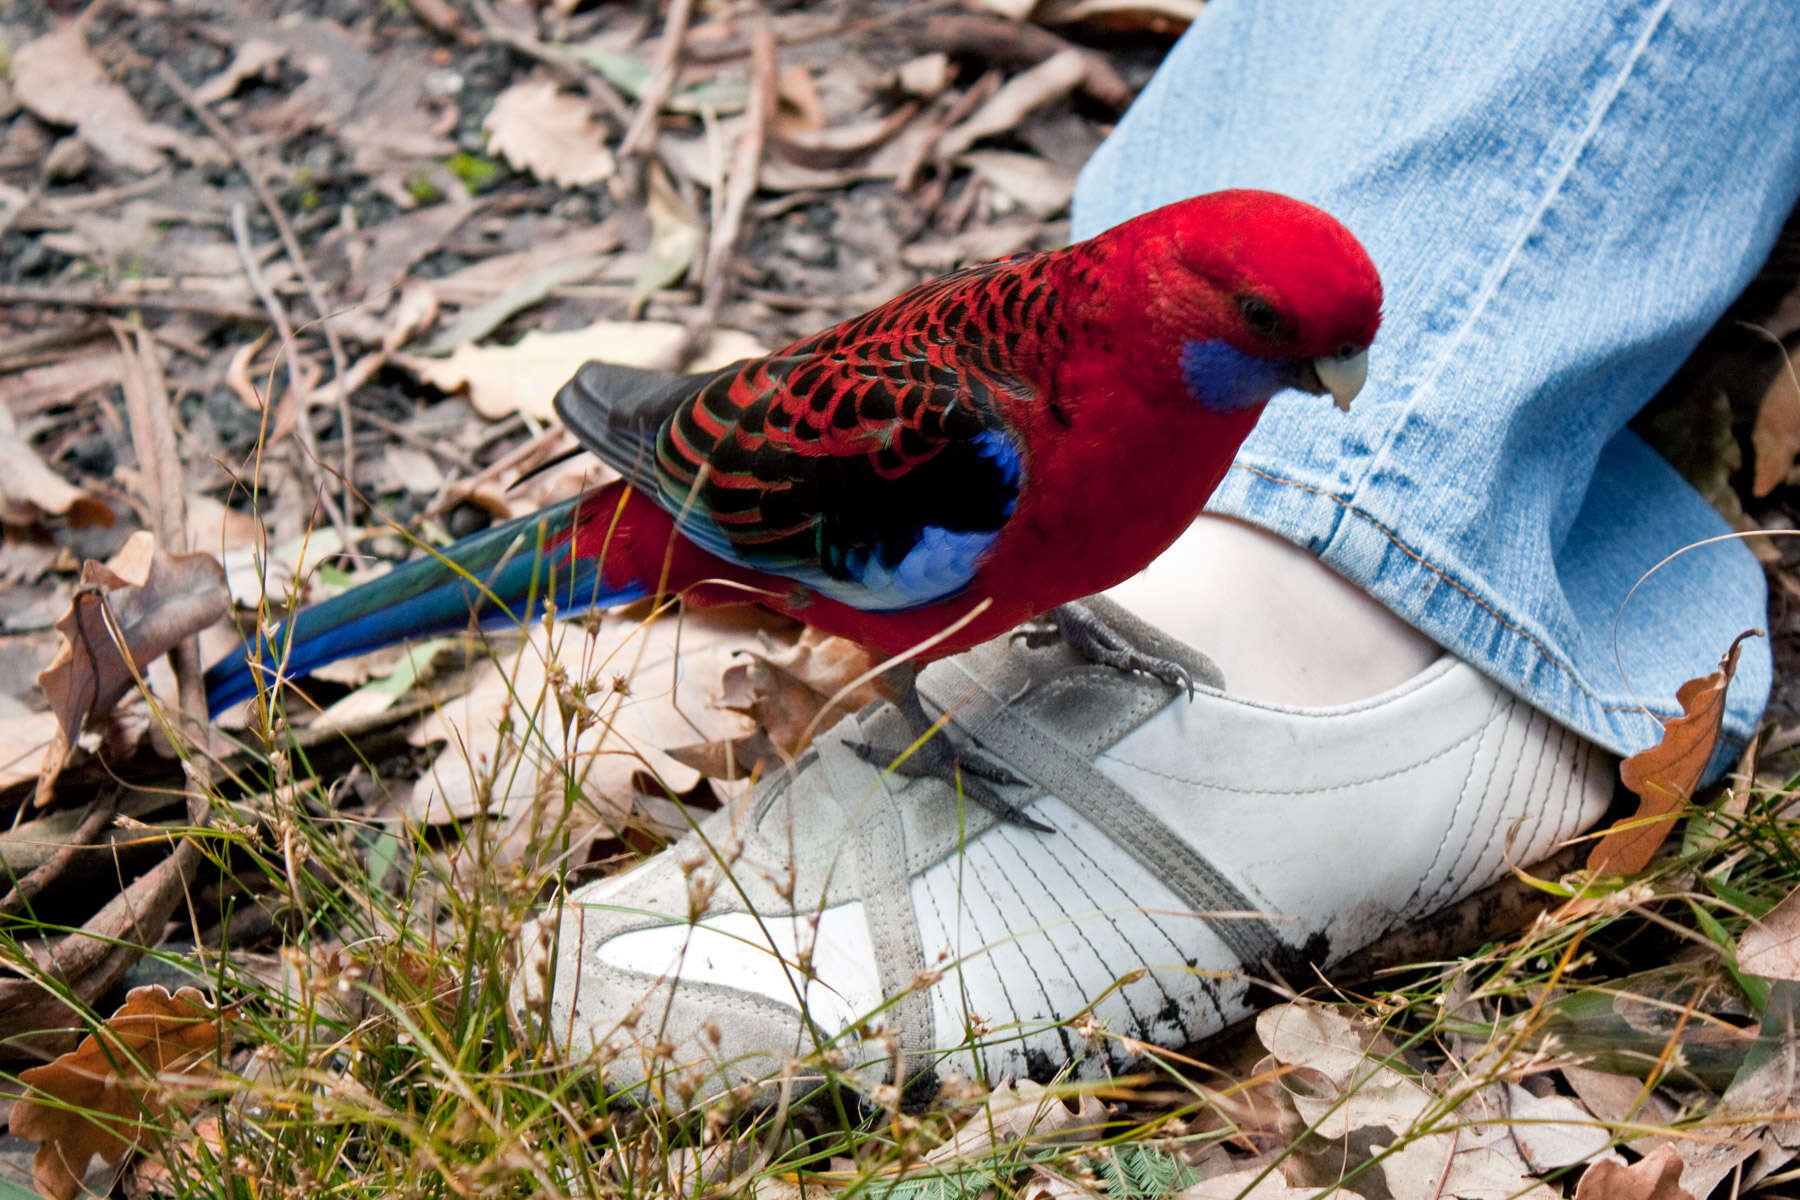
(373, 1050)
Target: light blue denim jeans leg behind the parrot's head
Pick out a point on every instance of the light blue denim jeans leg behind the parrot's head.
(1561, 201)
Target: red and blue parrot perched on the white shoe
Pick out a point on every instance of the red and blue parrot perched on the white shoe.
(964, 460)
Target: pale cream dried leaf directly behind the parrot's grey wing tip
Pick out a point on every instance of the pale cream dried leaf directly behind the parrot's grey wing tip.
(525, 377)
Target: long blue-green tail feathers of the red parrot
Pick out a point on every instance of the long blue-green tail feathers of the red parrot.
(494, 578)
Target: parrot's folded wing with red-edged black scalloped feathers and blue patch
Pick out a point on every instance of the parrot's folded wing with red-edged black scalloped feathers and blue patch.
(872, 461)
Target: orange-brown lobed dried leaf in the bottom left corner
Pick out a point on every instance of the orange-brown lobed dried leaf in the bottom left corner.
(102, 1097)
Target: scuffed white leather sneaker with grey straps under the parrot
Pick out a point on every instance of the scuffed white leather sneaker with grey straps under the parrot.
(849, 918)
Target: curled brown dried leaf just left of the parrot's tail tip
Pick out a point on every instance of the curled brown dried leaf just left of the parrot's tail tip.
(154, 602)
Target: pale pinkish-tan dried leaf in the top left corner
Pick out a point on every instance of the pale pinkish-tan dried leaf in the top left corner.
(58, 80)
